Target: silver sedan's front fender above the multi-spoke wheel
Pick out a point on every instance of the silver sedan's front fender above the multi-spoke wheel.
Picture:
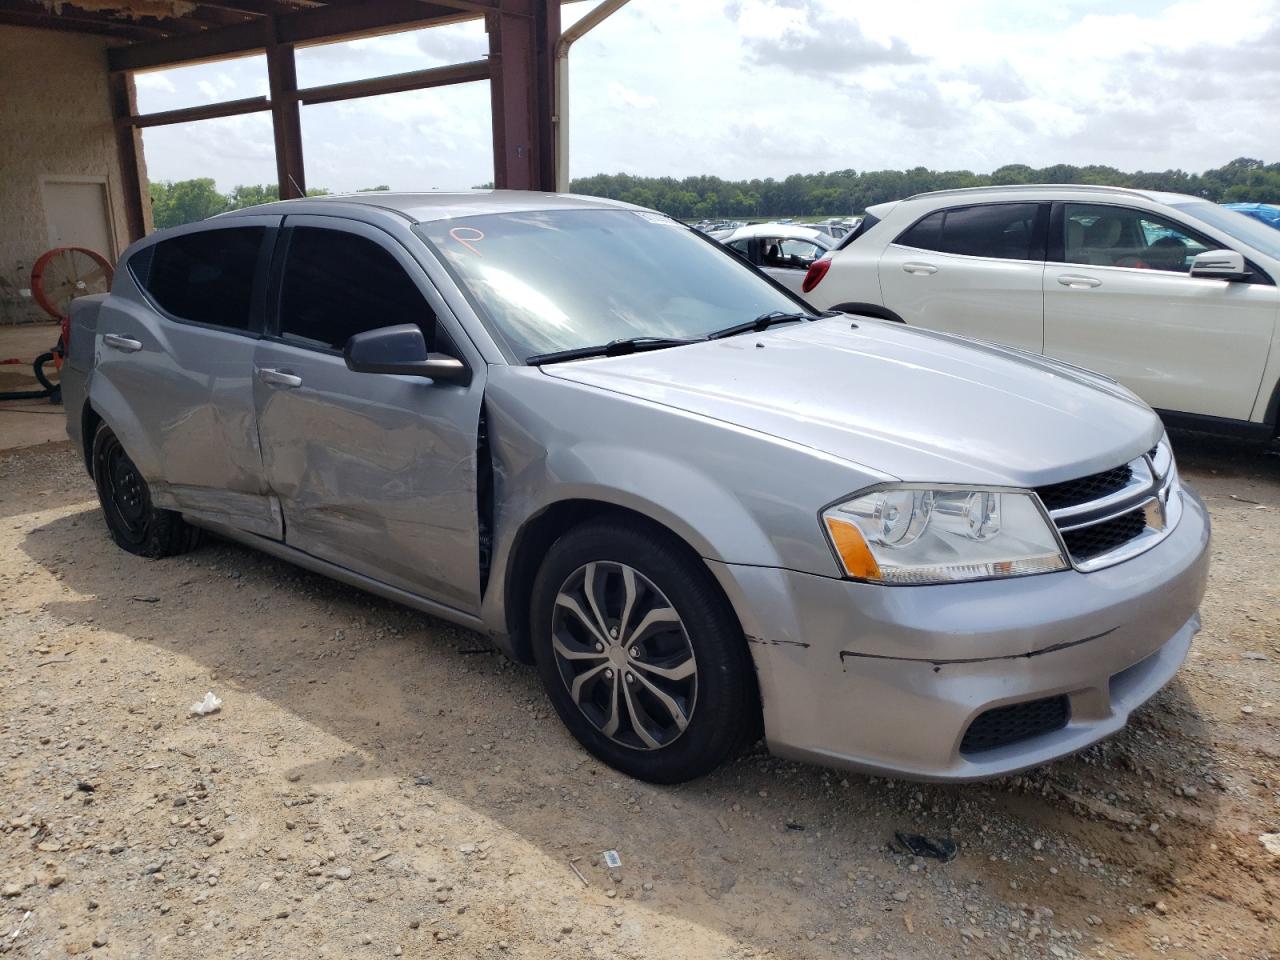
(733, 495)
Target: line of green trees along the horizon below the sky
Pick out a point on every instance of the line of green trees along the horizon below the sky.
(835, 194)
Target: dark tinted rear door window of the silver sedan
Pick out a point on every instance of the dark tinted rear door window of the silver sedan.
(204, 277)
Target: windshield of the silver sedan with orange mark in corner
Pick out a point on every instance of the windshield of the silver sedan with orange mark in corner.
(560, 280)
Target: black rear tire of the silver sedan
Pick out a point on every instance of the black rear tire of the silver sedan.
(134, 523)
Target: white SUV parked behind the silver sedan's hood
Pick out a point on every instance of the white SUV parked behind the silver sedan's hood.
(1173, 296)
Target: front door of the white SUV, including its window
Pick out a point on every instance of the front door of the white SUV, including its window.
(1122, 301)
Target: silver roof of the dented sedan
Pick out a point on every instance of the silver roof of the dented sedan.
(437, 205)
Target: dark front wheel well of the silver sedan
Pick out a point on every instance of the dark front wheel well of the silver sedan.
(536, 540)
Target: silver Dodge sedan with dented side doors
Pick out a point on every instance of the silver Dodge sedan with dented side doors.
(624, 455)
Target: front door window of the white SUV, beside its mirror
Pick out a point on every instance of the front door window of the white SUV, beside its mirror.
(1110, 236)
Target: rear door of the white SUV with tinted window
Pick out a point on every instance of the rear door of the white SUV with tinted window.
(973, 271)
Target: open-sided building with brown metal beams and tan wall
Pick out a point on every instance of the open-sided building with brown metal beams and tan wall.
(71, 130)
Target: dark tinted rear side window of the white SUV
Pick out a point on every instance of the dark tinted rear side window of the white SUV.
(1003, 231)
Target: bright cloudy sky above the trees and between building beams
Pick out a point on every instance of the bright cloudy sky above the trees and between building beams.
(753, 89)
